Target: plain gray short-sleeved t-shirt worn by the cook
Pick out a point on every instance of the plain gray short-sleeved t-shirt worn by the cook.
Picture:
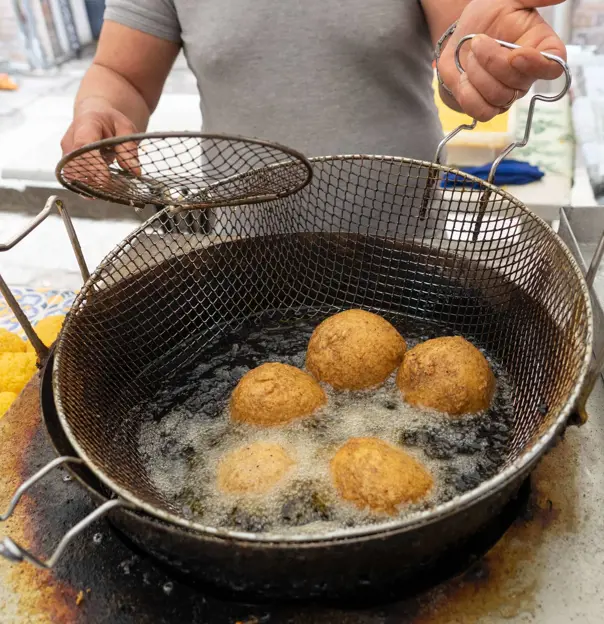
(322, 76)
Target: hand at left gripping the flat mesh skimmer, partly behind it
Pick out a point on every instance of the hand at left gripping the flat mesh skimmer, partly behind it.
(93, 121)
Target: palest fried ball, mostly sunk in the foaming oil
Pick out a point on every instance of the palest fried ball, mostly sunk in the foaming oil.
(254, 469)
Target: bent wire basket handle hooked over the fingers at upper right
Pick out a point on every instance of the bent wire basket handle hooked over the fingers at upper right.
(486, 194)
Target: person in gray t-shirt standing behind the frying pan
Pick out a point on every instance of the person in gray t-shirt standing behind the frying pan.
(321, 76)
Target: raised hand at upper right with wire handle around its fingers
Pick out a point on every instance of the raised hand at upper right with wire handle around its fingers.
(495, 76)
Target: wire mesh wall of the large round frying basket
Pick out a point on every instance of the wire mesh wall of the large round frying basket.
(354, 237)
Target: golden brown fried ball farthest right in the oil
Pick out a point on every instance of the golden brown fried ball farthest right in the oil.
(447, 374)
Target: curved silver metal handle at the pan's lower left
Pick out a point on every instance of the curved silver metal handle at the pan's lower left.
(15, 553)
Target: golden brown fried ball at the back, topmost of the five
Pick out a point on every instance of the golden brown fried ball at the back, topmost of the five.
(354, 350)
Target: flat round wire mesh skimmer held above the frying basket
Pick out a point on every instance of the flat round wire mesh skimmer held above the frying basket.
(184, 170)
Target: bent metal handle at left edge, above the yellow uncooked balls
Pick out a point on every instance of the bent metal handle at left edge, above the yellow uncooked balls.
(52, 203)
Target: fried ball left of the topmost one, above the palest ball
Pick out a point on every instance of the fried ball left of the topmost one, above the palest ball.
(274, 394)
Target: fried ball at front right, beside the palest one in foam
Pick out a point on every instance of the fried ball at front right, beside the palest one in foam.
(371, 473)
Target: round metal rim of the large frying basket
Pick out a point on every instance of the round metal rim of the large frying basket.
(521, 466)
